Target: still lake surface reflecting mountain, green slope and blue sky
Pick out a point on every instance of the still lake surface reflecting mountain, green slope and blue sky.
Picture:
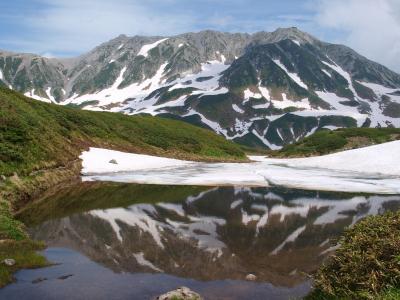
(124, 241)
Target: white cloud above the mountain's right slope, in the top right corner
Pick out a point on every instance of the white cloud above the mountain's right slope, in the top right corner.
(371, 27)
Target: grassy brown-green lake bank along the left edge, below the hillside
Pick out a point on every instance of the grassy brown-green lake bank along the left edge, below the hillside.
(15, 193)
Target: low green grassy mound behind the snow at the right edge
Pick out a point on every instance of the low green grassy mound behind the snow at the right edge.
(327, 141)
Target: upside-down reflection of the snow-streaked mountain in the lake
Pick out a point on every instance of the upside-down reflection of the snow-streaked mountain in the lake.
(217, 234)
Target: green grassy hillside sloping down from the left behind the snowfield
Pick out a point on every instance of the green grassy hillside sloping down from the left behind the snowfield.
(36, 135)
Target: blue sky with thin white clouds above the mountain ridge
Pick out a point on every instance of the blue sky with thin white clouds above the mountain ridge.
(72, 27)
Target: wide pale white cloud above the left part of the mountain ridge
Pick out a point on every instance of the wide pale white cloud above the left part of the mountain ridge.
(79, 25)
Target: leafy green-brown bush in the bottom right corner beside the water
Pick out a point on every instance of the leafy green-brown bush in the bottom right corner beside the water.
(367, 264)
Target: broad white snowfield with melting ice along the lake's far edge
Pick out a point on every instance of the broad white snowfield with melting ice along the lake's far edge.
(373, 169)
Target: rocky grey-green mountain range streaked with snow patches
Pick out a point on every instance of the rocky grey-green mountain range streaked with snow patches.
(265, 89)
